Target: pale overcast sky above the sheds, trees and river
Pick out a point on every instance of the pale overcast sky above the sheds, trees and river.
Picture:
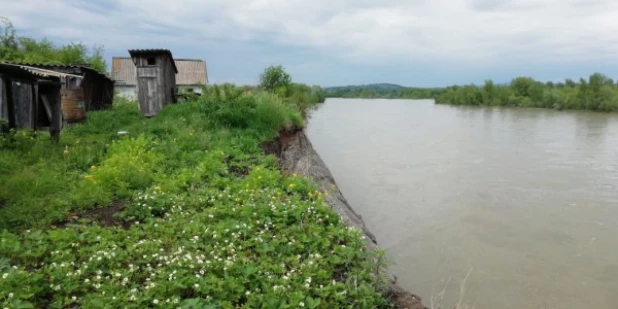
(340, 42)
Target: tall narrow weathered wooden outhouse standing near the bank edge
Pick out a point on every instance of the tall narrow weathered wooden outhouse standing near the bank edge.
(156, 79)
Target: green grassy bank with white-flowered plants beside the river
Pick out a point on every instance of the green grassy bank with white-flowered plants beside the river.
(182, 211)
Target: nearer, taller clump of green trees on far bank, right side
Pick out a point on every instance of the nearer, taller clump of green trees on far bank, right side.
(598, 93)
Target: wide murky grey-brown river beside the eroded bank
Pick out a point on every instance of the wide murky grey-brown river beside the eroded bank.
(524, 200)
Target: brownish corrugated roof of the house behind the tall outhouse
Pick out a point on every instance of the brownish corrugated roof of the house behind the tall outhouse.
(190, 71)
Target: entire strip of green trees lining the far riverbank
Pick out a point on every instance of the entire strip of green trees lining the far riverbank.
(598, 93)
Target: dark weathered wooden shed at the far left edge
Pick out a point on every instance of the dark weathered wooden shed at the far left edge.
(30, 98)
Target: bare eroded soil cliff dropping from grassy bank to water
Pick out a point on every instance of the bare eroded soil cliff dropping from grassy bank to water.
(296, 155)
